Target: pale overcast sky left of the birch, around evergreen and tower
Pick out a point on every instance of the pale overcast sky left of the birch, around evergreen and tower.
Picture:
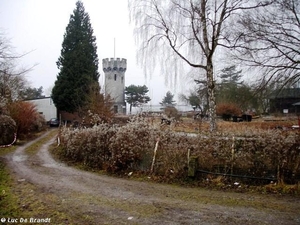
(39, 26)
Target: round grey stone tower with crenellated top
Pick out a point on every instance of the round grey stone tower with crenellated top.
(114, 70)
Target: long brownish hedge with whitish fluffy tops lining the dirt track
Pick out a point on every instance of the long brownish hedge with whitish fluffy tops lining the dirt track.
(273, 154)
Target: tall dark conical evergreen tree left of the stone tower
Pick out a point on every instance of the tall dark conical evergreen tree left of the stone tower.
(78, 64)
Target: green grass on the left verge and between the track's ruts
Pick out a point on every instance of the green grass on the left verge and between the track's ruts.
(24, 200)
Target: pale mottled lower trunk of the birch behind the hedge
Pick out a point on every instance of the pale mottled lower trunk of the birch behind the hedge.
(211, 97)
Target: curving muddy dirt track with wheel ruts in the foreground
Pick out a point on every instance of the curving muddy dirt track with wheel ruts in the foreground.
(99, 199)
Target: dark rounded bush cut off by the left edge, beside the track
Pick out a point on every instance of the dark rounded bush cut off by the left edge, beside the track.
(7, 130)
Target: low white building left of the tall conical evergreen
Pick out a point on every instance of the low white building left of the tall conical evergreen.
(45, 107)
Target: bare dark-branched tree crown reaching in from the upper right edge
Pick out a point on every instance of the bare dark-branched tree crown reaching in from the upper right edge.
(269, 39)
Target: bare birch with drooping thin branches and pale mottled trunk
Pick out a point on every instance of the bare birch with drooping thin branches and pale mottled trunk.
(188, 31)
